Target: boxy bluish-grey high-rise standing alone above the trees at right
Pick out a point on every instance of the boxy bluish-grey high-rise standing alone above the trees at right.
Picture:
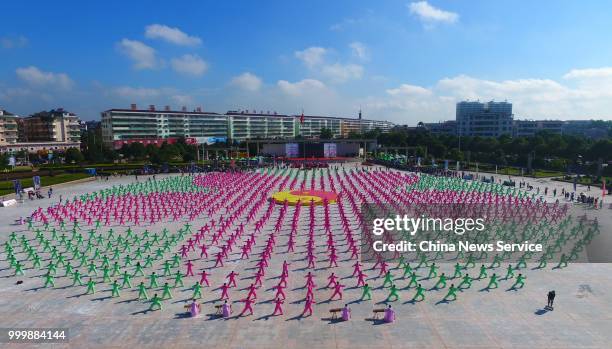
(490, 119)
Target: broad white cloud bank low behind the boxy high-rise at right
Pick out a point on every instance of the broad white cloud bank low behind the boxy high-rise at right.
(586, 94)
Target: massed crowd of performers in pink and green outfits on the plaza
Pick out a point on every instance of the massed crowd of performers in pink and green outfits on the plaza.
(117, 240)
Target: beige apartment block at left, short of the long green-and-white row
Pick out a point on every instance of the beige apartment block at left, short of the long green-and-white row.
(56, 125)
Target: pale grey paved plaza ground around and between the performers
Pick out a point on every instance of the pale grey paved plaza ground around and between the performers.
(479, 318)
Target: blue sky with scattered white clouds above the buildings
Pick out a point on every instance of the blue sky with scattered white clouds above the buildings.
(404, 61)
